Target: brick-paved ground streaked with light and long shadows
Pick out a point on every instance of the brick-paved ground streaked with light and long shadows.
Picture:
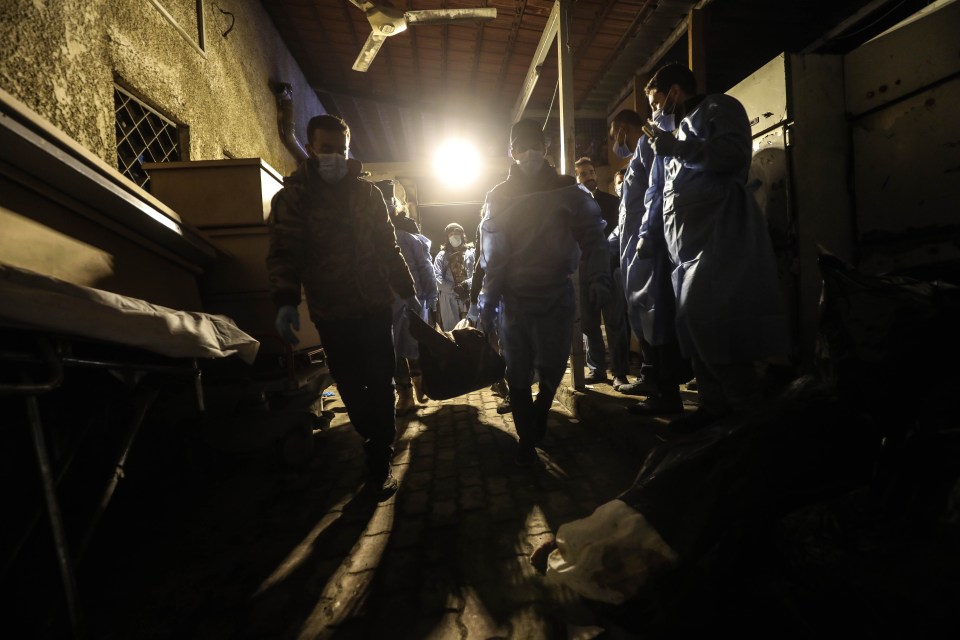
(247, 547)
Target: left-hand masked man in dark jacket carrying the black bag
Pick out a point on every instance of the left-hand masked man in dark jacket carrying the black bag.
(330, 233)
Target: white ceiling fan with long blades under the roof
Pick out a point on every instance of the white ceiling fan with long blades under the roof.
(386, 21)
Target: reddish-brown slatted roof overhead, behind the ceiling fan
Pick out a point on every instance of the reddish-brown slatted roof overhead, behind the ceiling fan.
(432, 80)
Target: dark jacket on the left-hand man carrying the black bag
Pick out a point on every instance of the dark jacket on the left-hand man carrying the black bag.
(336, 240)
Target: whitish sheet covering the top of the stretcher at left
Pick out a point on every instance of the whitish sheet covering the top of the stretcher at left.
(40, 302)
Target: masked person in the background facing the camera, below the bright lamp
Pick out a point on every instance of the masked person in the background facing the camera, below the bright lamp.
(453, 269)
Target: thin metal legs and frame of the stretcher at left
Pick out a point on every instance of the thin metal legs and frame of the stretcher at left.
(51, 354)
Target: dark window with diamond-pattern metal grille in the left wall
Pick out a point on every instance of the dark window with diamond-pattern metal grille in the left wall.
(143, 135)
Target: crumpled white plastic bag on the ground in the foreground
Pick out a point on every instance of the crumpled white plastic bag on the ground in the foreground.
(608, 555)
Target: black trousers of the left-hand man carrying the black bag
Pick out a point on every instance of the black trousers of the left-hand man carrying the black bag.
(361, 359)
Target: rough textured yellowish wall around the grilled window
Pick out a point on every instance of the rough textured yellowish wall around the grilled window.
(61, 58)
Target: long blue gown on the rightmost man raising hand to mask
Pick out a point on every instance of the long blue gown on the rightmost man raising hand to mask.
(729, 304)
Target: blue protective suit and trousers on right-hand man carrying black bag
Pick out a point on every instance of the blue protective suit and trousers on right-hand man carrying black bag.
(531, 243)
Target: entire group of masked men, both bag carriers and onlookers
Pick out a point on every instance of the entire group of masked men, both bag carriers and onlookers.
(690, 258)
